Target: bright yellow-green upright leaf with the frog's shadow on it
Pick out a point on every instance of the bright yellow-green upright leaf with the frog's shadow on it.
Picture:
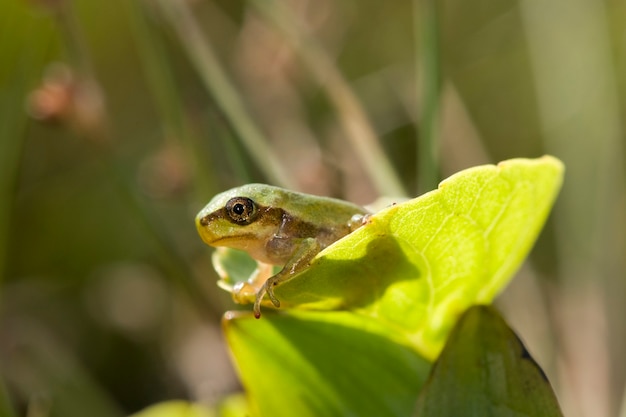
(416, 266)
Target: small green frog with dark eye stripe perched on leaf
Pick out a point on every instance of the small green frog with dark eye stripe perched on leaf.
(276, 226)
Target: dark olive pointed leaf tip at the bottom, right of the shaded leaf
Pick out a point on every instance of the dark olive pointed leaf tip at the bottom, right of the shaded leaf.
(485, 371)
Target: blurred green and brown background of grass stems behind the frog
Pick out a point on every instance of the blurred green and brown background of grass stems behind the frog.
(119, 120)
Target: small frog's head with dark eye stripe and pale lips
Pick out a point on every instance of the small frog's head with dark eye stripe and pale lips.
(241, 218)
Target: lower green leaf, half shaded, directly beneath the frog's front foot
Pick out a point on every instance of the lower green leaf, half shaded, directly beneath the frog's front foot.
(324, 364)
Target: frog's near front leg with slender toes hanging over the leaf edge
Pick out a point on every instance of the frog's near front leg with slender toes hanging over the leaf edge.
(306, 251)
